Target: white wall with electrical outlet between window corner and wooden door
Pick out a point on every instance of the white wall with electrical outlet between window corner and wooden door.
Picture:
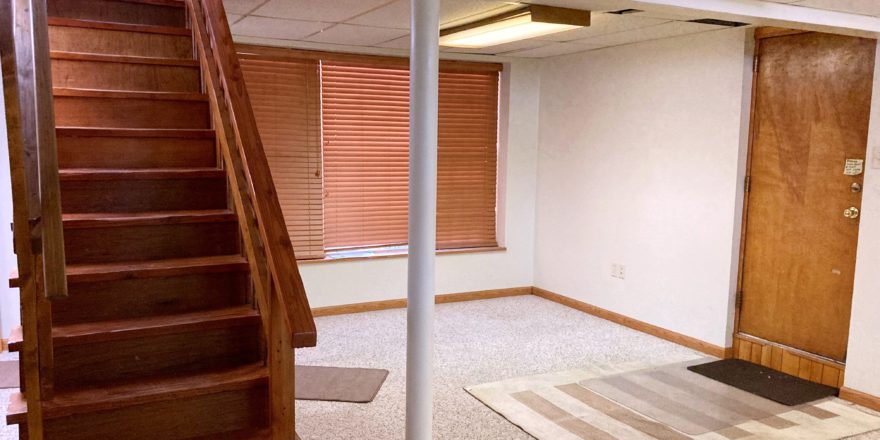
(640, 163)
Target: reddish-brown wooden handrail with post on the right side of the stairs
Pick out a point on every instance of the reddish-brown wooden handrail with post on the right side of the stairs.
(278, 288)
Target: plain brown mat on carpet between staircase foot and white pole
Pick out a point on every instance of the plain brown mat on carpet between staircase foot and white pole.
(357, 385)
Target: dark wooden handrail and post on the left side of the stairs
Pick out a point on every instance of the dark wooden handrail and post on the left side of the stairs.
(38, 234)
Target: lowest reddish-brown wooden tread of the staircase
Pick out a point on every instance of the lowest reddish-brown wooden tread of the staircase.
(66, 403)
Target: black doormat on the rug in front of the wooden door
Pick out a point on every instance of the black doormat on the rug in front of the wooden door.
(762, 381)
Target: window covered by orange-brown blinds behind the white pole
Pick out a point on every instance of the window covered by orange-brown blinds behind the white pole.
(362, 157)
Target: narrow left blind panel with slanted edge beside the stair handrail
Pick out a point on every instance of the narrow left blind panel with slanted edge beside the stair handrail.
(285, 96)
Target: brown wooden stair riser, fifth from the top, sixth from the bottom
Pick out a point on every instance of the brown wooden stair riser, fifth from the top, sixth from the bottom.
(138, 153)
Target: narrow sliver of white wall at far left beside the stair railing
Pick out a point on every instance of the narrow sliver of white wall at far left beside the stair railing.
(9, 316)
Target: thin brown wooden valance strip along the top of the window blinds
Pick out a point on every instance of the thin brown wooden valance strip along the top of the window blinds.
(259, 52)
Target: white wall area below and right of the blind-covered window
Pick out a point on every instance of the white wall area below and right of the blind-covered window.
(335, 283)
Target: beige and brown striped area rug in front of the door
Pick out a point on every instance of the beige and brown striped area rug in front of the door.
(641, 401)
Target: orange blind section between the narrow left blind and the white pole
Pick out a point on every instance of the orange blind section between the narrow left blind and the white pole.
(366, 154)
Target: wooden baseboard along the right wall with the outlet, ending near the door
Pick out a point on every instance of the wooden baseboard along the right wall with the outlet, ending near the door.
(635, 324)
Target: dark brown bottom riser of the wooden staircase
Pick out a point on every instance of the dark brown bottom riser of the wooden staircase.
(202, 416)
